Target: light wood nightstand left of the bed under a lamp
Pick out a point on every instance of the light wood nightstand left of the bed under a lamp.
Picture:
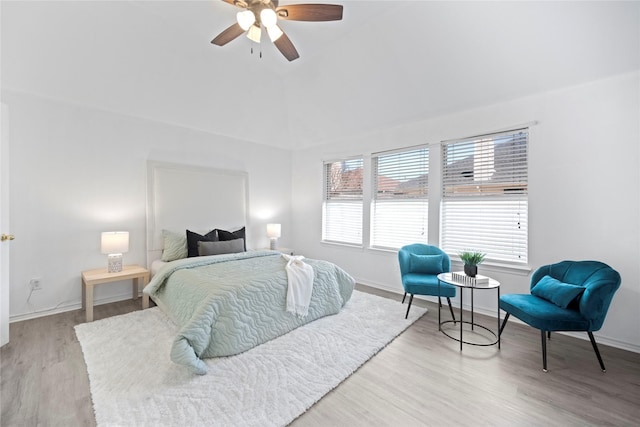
(91, 278)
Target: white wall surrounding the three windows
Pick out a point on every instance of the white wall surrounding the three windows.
(584, 159)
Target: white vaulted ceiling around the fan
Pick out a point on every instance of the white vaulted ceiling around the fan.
(386, 63)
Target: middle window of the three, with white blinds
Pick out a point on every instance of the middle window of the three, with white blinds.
(399, 207)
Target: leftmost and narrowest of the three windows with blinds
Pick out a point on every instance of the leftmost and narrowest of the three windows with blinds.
(342, 207)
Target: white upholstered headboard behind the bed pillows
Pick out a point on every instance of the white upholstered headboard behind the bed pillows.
(181, 197)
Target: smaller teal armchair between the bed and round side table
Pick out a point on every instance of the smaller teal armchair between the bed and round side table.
(420, 265)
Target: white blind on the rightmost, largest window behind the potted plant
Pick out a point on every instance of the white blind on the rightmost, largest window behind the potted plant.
(484, 196)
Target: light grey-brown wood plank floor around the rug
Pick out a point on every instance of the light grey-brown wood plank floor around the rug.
(419, 379)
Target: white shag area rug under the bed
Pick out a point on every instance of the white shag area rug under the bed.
(133, 382)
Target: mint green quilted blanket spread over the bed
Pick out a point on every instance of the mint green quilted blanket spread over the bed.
(227, 304)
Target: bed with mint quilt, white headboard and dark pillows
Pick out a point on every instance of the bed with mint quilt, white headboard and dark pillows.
(224, 303)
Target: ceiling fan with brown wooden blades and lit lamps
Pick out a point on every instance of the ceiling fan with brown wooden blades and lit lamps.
(259, 14)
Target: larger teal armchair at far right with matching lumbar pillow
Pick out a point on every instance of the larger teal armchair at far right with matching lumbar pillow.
(567, 296)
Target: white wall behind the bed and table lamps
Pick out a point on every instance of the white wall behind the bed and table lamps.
(77, 171)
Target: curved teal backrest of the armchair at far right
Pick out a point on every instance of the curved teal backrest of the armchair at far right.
(599, 280)
